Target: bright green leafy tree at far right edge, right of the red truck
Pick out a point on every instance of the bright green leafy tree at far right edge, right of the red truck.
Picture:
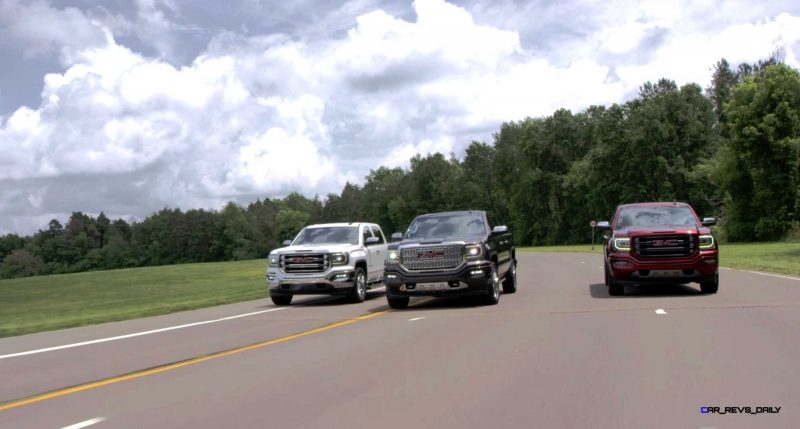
(760, 172)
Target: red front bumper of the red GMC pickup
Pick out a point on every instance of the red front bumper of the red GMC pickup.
(630, 268)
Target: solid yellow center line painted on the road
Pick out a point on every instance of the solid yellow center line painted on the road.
(192, 361)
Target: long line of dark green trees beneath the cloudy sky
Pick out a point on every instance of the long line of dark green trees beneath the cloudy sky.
(732, 151)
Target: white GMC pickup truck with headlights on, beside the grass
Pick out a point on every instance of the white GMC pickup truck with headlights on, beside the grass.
(334, 259)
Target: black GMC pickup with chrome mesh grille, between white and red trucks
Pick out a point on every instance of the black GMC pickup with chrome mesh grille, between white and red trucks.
(452, 253)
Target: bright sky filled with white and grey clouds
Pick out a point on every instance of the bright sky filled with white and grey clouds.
(128, 107)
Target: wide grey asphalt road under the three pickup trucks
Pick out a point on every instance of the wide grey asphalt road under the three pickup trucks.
(559, 353)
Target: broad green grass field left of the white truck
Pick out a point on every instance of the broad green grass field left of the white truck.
(44, 303)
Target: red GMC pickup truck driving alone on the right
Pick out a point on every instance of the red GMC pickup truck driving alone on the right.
(659, 242)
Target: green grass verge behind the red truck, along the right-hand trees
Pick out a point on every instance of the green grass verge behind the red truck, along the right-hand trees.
(779, 257)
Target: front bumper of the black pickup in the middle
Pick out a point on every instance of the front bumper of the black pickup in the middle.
(470, 278)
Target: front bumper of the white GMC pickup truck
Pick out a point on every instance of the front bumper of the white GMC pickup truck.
(338, 281)
